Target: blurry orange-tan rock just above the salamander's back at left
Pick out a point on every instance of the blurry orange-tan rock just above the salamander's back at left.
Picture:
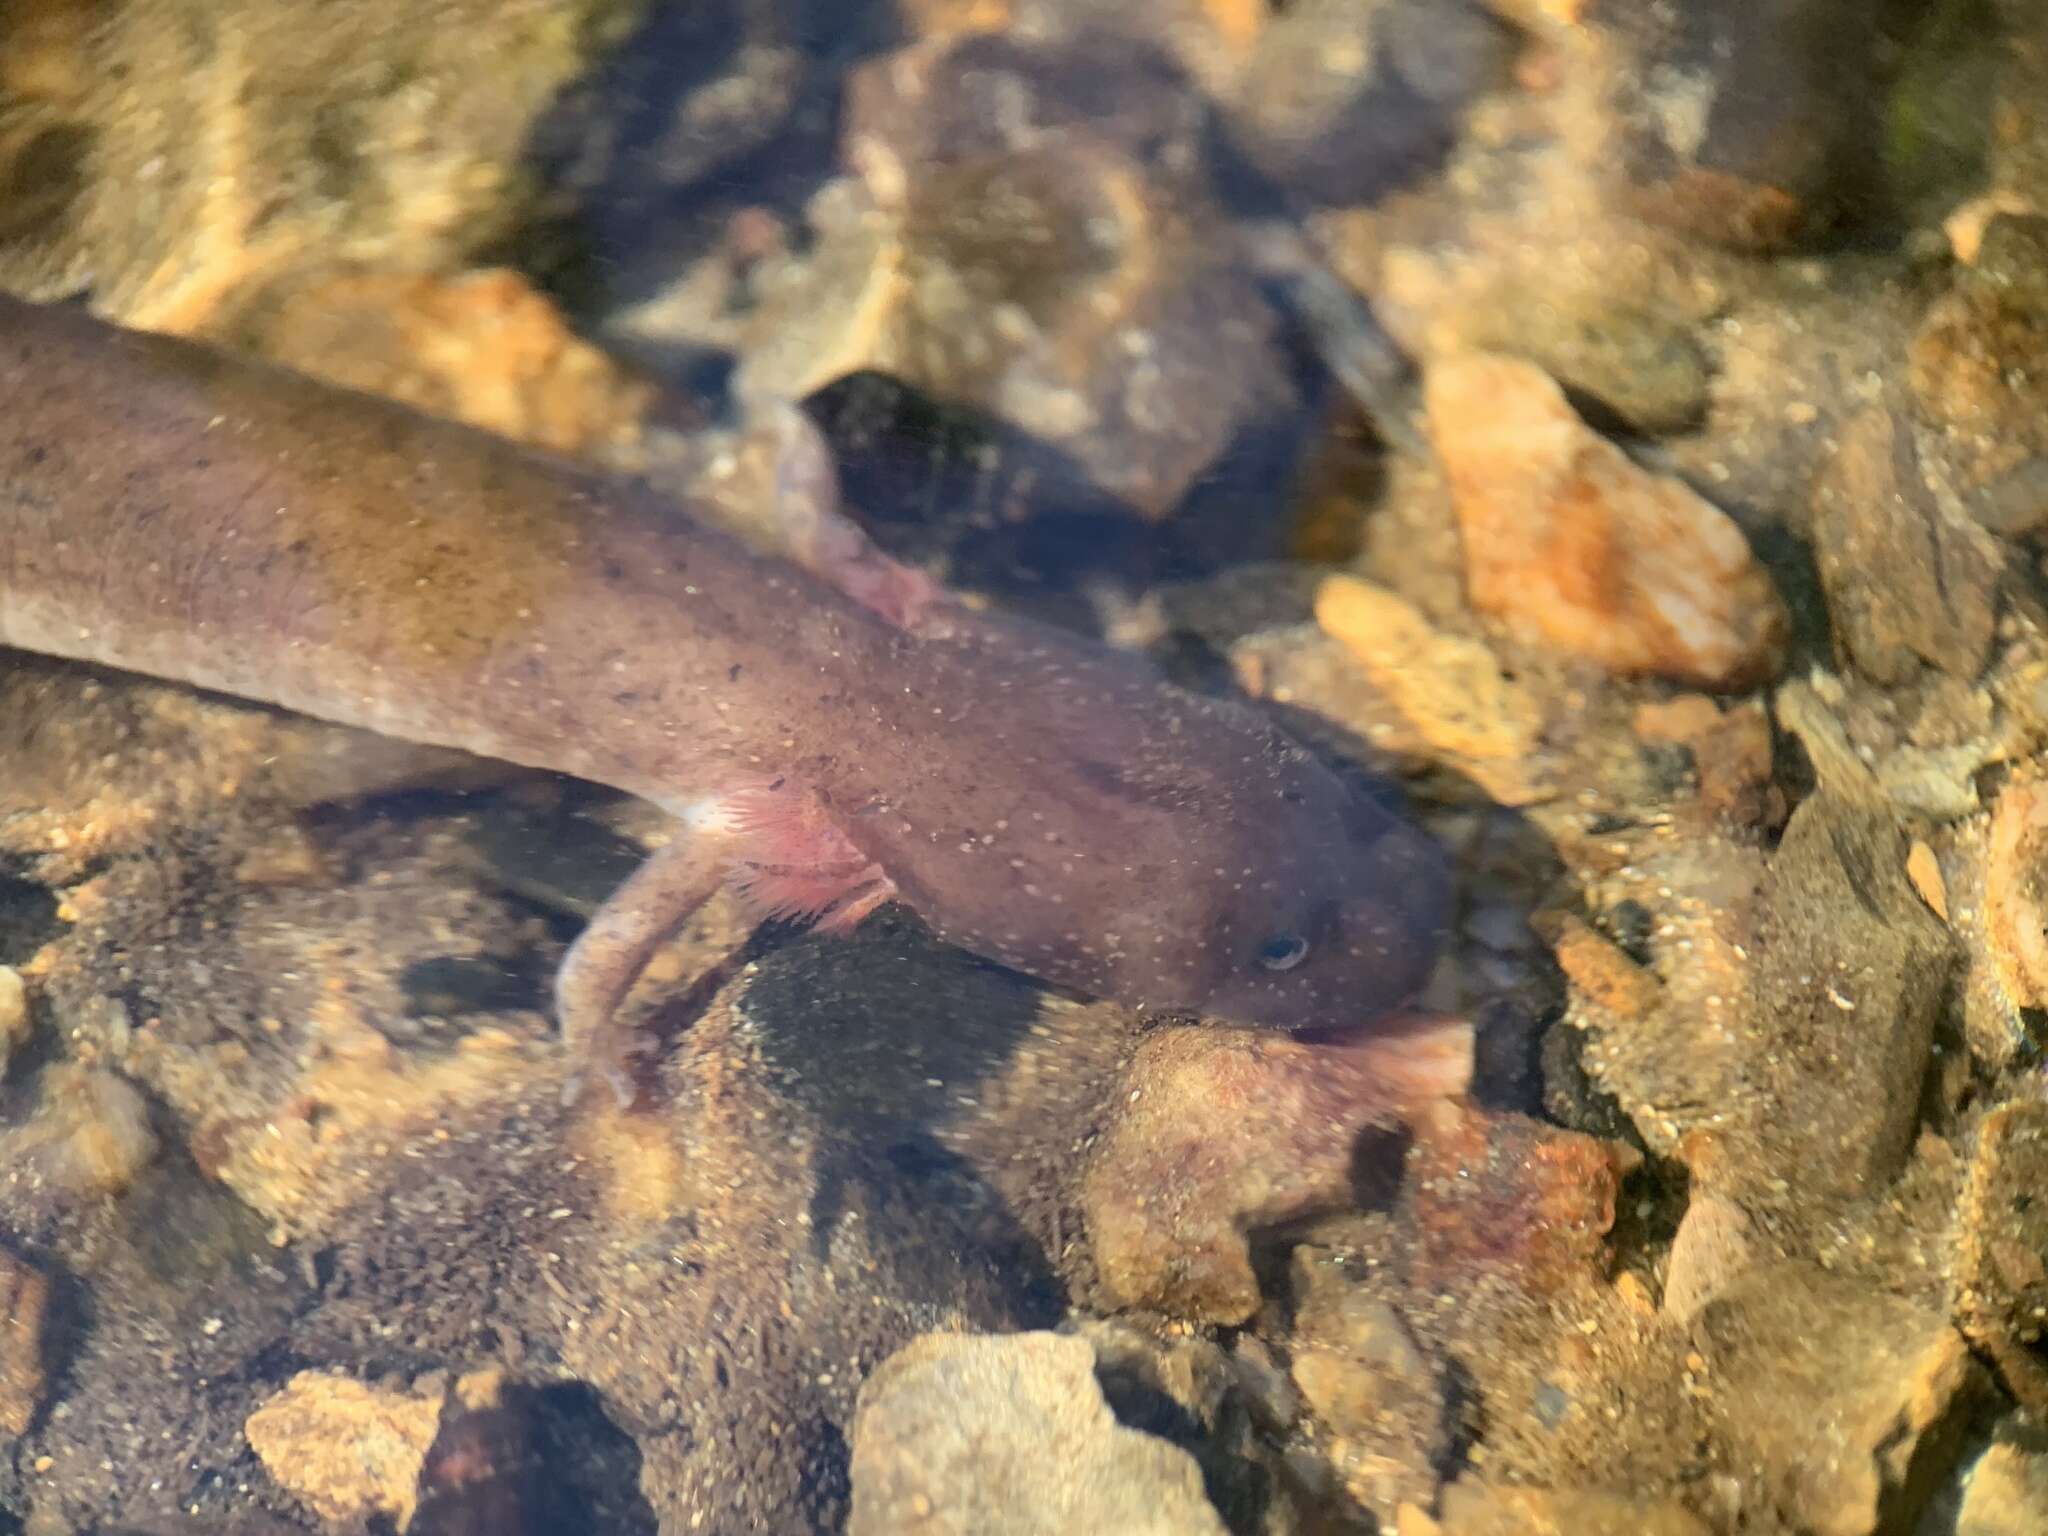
(482, 347)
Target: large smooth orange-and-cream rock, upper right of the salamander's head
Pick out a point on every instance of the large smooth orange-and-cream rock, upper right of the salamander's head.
(1582, 550)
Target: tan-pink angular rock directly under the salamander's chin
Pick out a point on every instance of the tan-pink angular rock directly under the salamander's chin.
(1228, 1132)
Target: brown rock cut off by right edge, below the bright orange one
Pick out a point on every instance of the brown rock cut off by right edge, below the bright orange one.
(2002, 1248)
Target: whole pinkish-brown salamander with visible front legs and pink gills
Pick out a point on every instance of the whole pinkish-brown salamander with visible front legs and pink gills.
(828, 736)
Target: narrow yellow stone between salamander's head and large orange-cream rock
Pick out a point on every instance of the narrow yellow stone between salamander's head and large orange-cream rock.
(1451, 689)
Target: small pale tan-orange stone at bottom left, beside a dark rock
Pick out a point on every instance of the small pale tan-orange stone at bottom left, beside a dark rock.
(349, 1451)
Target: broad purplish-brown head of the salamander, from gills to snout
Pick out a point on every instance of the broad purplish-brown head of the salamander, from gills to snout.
(1119, 837)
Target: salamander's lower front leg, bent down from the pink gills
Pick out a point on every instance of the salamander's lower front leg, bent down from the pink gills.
(634, 923)
